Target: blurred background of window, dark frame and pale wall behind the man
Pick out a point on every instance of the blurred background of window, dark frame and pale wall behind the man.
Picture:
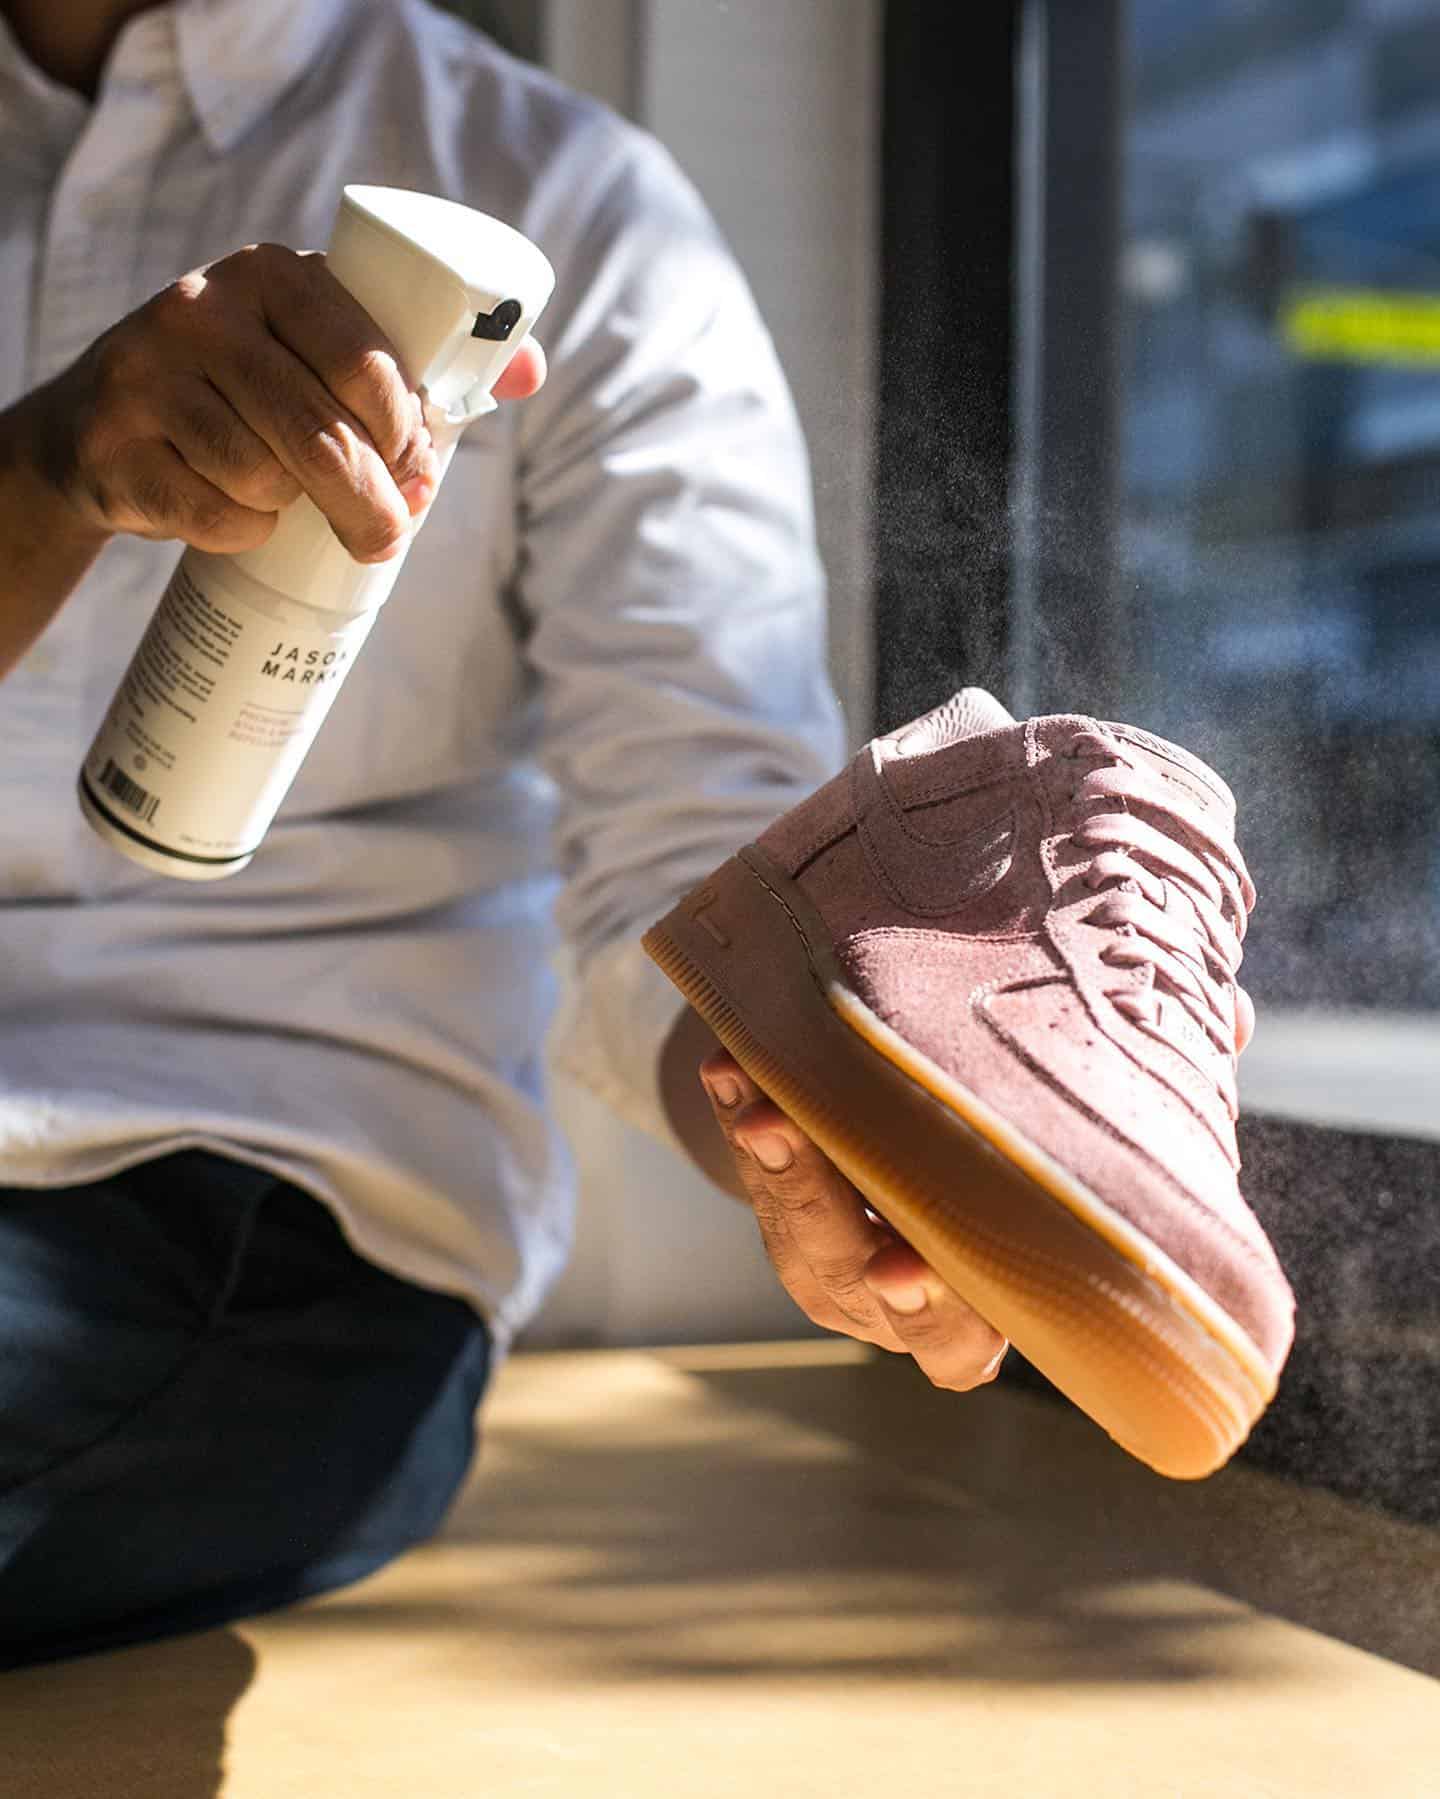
(1115, 327)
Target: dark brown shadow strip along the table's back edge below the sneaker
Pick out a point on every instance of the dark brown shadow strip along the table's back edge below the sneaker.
(1324, 1562)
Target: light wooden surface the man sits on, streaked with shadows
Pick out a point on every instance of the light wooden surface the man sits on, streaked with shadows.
(795, 1571)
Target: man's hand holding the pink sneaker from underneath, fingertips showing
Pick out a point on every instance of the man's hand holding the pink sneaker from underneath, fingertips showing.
(841, 1267)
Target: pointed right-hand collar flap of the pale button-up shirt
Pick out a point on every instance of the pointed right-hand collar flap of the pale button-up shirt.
(238, 57)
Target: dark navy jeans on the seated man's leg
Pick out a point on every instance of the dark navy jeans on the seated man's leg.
(210, 1406)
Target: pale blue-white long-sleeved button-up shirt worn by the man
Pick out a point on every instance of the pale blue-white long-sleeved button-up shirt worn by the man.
(600, 672)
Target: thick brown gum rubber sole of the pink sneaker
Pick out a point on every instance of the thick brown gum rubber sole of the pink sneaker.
(1106, 1316)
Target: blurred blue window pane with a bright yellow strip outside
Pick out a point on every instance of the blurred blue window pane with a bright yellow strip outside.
(1281, 478)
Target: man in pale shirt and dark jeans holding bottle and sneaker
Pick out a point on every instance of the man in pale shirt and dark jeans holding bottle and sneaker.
(278, 1181)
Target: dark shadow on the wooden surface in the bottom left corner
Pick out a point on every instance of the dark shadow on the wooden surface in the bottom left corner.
(132, 1724)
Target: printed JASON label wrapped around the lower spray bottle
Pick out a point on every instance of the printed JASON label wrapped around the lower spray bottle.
(213, 720)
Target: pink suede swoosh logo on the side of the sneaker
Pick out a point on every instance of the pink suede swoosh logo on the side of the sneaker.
(922, 875)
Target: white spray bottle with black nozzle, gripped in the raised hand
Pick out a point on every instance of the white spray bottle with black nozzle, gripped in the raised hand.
(246, 654)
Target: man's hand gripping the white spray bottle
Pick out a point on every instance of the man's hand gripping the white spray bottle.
(231, 393)
